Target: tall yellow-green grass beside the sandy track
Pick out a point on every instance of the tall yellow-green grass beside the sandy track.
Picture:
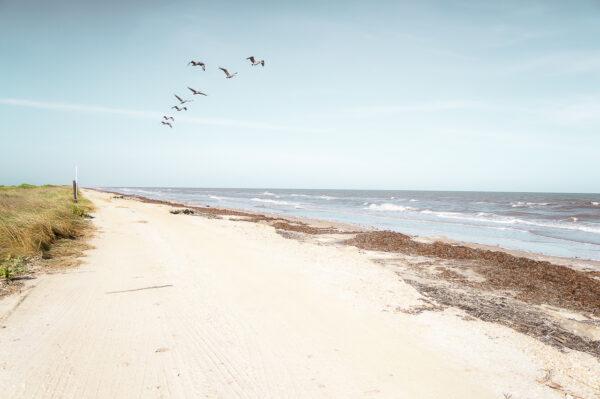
(33, 219)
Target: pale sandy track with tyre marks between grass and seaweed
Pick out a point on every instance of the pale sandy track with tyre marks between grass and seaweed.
(174, 306)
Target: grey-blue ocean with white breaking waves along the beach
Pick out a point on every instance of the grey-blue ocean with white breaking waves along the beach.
(566, 225)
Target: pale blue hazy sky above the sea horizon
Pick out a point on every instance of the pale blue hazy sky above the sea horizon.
(429, 95)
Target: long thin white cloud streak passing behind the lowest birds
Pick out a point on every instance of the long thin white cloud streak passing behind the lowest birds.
(153, 115)
